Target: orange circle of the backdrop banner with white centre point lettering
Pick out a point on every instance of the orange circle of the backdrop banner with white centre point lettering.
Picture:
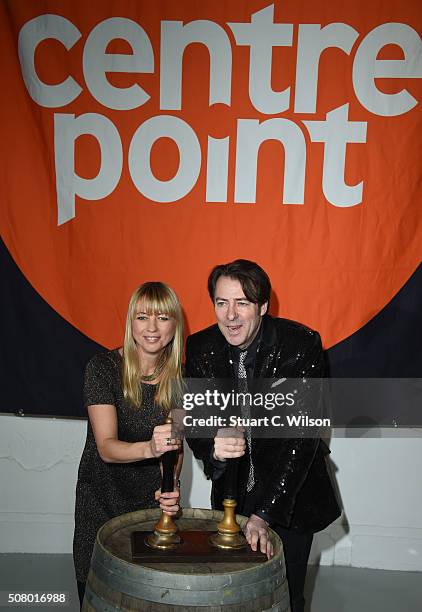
(153, 140)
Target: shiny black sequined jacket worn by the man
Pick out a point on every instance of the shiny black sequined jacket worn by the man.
(293, 487)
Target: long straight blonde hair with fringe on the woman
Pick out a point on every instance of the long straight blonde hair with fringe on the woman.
(157, 298)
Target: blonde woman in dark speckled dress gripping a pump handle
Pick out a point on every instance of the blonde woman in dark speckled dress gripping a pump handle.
(128, 393)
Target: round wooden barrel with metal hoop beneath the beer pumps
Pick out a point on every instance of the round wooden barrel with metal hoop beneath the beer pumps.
(115, 583)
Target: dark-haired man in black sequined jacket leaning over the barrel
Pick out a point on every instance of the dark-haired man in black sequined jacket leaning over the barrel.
(282, 483)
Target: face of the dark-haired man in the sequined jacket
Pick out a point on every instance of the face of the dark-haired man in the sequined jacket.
(237, 317)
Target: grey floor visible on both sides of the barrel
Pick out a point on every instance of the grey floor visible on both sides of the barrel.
(328, 589)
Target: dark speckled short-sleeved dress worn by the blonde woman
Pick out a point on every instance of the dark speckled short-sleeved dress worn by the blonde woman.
(105, 490)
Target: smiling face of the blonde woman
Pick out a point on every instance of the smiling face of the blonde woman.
(152, 332)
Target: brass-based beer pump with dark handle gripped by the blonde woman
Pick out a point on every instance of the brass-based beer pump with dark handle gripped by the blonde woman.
(165, 535)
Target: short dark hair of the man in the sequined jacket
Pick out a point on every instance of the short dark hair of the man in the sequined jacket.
(254, 280)
